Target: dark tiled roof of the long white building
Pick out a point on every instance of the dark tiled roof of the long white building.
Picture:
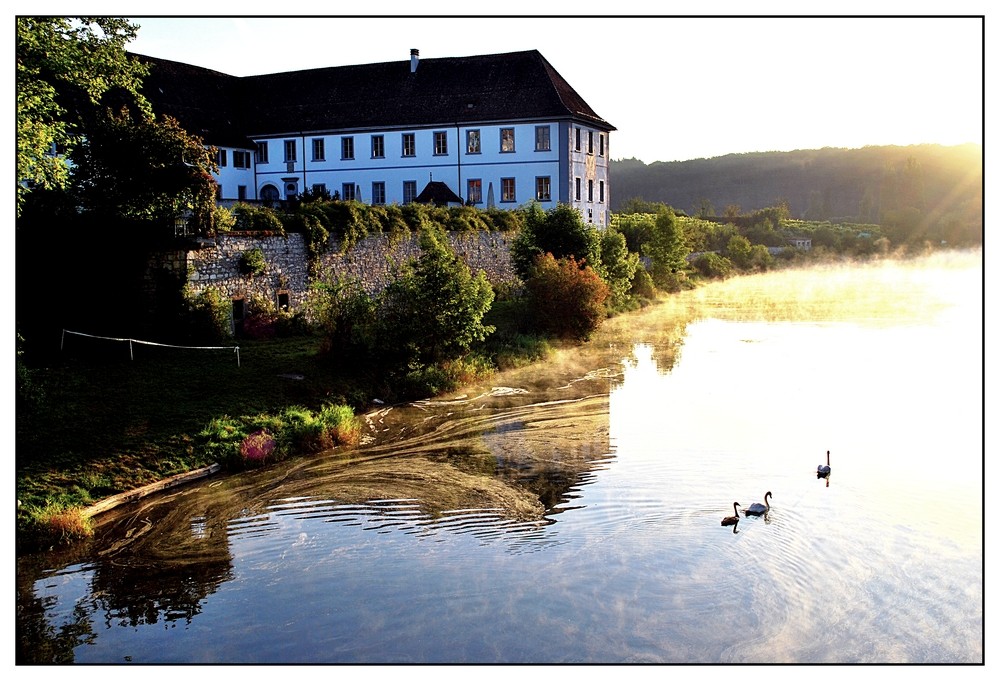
(501, 87)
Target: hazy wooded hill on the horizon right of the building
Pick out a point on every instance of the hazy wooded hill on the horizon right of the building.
(925, 182)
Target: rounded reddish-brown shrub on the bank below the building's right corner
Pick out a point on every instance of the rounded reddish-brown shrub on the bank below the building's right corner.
(566, 300)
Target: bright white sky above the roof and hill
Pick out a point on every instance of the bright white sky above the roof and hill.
(675, 87)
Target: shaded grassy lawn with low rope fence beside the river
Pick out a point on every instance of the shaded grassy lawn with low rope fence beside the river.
(108, 423)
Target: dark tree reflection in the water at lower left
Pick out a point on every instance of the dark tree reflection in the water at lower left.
(149, 564)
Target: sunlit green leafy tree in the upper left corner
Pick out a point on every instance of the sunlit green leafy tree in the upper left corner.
(64, 65)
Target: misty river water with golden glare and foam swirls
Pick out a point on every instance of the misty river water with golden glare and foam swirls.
(571, 512)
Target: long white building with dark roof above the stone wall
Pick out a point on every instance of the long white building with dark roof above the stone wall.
(497, 130)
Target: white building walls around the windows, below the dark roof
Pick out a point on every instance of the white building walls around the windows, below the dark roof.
(562, 163)
